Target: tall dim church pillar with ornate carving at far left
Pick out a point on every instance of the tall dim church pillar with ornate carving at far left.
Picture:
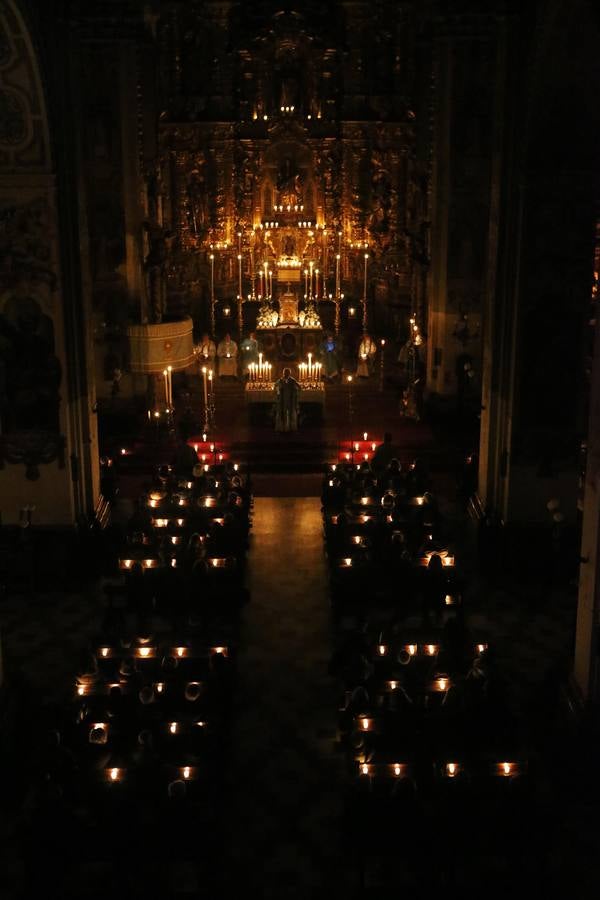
(48, 444)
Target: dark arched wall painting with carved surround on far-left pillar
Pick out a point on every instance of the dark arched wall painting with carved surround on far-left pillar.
(30, 371)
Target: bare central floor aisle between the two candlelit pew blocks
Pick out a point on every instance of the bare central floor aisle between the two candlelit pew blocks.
(286, 778)
